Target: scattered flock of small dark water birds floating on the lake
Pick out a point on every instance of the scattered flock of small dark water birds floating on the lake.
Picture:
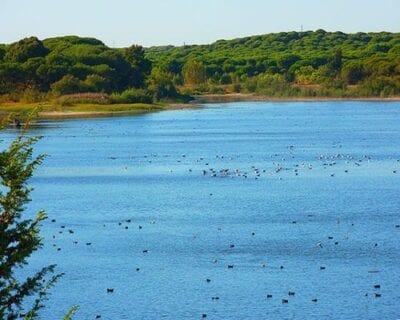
(279, 166)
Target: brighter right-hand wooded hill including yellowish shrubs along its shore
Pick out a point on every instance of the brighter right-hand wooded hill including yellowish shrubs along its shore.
(293, 63)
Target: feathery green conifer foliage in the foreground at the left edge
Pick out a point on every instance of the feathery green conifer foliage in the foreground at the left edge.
(19, 237)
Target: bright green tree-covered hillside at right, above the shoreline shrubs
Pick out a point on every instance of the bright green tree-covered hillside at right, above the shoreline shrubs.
(286, 53)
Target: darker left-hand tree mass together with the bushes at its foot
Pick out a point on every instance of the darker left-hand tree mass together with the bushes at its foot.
(31, 69)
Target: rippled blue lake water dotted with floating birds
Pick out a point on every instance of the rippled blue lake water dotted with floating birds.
(301, 197)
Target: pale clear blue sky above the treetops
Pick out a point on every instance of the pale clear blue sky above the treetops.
(159, 22)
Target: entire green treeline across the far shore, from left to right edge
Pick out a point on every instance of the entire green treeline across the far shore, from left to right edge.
(284, 64)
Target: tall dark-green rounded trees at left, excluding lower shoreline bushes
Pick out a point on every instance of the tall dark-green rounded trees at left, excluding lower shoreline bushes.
(43, 64)
